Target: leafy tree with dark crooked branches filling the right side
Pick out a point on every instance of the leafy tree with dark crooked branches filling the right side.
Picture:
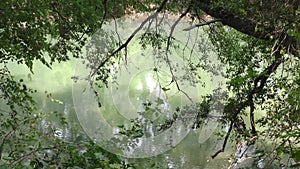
(270, 30)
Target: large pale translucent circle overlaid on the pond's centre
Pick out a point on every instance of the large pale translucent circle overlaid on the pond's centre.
(144, 111)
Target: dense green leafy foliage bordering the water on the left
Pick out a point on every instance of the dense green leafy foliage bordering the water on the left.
(29, 32)
